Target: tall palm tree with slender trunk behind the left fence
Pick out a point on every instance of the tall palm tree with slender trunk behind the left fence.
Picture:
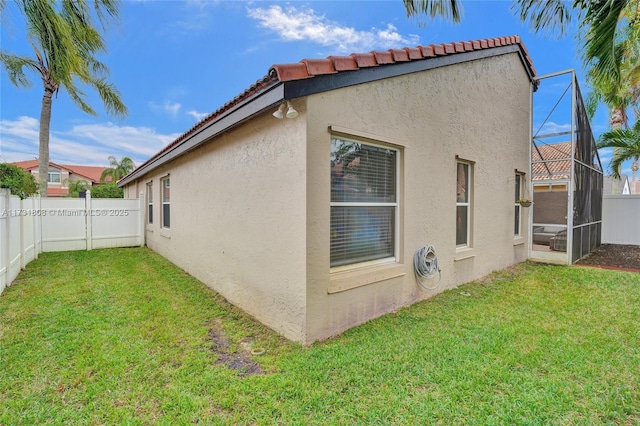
(65, 42)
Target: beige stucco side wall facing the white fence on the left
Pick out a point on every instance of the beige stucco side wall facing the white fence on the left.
(238, 218)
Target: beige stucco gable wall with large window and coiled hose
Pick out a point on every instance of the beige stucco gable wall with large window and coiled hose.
(478, 111)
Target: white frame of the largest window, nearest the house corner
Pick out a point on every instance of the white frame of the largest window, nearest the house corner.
(396, 205)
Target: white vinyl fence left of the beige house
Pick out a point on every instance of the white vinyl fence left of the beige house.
(35, 225)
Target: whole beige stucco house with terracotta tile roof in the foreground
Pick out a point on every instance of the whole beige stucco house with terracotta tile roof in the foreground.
(310, 223)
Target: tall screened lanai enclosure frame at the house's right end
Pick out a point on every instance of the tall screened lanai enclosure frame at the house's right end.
(585, 186)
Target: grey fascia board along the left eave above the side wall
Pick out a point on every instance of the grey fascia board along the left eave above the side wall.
(231, 118)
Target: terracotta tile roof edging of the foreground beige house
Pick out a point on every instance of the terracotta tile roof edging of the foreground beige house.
(308, 68)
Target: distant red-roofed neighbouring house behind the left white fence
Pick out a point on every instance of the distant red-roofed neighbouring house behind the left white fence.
(59, 173)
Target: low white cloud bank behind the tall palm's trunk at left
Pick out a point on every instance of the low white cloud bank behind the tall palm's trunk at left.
(86, 144)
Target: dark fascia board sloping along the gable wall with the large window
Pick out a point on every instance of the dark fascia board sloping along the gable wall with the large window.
(323, 83)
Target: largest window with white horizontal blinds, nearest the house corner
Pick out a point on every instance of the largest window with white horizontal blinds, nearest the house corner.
(364, 202)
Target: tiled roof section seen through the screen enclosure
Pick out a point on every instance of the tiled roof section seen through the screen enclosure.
(558, 161)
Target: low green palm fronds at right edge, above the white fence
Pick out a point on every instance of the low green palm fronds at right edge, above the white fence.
(626, 145)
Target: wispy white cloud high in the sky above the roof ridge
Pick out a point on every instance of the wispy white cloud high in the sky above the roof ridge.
(295, 24)
